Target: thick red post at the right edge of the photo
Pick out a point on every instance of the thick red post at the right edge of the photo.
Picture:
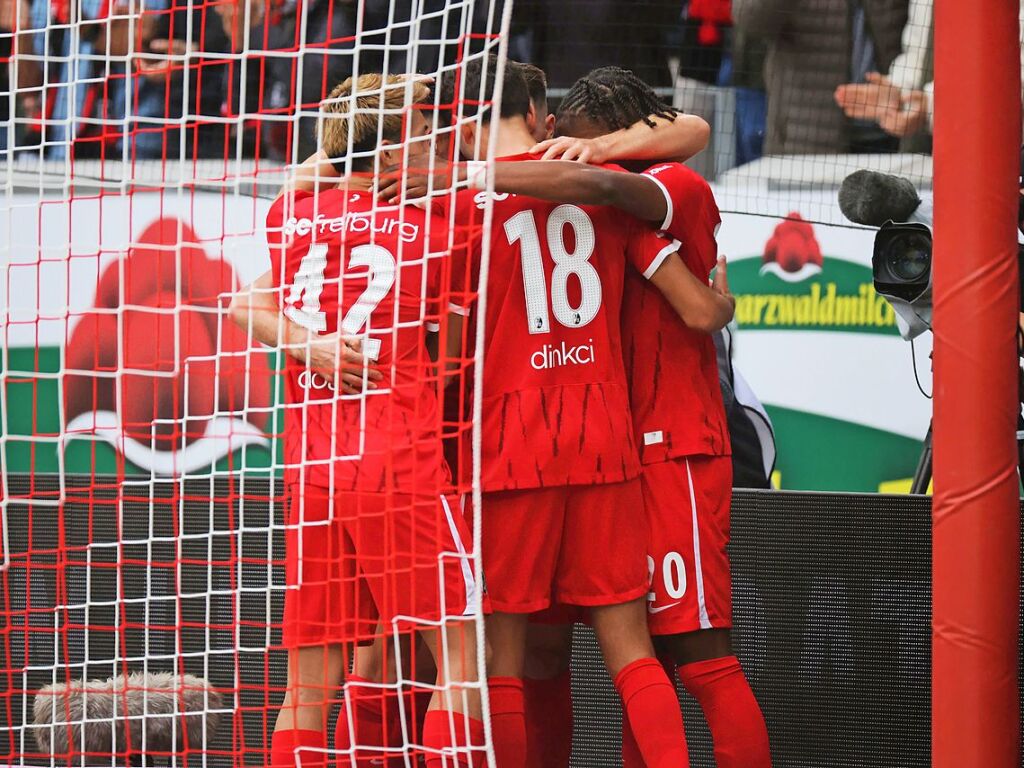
(976, 516)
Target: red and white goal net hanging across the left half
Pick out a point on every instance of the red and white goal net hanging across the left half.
(183, 482)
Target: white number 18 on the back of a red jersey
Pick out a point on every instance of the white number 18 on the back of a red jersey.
(523, 228)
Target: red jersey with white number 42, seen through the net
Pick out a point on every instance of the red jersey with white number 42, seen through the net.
(377, 273)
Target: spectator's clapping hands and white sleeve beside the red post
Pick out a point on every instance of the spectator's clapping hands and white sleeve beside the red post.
(902, 104)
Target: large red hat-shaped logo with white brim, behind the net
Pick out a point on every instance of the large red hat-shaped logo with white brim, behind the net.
(158, 368)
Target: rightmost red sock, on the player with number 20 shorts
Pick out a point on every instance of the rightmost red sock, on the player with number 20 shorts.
(738, 728)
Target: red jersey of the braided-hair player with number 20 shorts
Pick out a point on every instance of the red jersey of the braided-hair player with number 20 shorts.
(676, 396)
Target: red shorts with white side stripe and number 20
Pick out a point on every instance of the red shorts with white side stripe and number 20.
(688, 503)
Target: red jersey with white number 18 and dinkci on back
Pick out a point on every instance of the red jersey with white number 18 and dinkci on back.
(557, 409)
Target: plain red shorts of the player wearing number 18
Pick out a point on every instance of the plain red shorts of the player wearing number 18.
(581, 545)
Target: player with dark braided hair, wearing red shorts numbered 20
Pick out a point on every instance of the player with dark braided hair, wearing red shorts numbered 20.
(677, 405)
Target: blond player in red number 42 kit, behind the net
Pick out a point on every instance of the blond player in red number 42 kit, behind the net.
(367, 517)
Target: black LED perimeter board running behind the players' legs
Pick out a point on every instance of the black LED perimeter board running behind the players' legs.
(832, 608)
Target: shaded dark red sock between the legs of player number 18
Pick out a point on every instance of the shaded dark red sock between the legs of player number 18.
(549, 721)
